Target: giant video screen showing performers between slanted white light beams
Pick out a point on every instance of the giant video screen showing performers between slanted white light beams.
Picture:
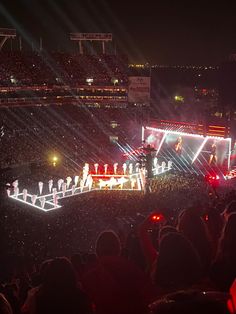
(189, 150)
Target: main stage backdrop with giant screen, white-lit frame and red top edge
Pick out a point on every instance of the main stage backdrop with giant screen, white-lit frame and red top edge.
(190, 152)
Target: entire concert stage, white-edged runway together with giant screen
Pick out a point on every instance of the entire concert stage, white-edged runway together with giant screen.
(166, 147)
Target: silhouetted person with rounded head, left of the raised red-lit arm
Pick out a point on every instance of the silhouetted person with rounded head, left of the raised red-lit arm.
(115, 284)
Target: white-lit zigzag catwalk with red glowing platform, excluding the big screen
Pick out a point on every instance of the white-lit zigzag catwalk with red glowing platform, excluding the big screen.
(89, 182)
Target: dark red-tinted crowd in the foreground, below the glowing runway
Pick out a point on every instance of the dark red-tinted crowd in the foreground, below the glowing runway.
(169, 251)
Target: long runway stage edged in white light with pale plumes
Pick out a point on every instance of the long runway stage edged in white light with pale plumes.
(48, 194)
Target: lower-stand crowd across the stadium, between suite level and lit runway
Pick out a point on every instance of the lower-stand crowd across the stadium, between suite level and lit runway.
(31, 134)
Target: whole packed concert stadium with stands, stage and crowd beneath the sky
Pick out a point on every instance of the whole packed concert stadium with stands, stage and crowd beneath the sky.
(85, 155)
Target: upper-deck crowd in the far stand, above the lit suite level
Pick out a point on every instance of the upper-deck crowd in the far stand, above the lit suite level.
(25, 69)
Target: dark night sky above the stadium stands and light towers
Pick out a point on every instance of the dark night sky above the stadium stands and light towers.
(159, 32)
